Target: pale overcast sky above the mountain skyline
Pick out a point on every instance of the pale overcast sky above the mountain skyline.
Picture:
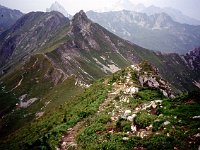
(188, 7)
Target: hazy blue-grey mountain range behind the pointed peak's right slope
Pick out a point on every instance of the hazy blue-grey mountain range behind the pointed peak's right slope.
(156, 32)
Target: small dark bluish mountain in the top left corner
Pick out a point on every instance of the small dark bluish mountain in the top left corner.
(8, 17)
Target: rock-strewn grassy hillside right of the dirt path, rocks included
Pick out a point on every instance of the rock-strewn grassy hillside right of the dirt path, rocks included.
(136, 117)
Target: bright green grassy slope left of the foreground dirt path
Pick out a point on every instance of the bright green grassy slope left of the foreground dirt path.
(46, 131)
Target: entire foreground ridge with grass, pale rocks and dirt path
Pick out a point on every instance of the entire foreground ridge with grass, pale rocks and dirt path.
(131, 109)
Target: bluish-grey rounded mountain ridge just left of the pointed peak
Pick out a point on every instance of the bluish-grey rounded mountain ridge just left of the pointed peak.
(22, 32)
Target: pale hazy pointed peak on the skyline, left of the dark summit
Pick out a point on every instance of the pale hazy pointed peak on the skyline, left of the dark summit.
(57, 7)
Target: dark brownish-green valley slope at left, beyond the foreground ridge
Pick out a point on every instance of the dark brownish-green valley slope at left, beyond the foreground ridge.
(36, 85)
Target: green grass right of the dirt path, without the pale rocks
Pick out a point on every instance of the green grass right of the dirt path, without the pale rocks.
(180, 133)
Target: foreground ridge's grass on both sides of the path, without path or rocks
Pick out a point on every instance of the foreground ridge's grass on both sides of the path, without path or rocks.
(47, 131)
